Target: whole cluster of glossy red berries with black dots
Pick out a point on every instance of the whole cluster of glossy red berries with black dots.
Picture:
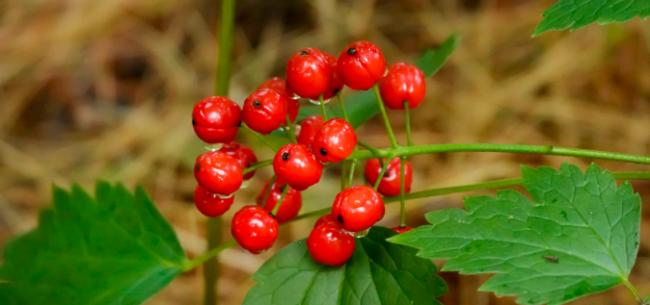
(310, 74)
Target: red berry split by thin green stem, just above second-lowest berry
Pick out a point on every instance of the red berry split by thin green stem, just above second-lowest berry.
(290, 205)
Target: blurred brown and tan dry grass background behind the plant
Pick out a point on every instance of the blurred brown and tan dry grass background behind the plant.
(104, 90)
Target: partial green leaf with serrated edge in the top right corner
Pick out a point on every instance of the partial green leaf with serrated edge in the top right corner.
(574, 14)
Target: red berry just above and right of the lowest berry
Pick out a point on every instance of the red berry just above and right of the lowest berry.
(358, 208)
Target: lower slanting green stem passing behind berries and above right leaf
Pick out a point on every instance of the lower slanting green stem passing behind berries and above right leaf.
(489, 185)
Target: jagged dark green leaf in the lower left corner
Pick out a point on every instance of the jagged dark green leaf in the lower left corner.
(114, 249)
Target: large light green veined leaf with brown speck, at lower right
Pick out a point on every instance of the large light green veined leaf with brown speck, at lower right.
(578, 235)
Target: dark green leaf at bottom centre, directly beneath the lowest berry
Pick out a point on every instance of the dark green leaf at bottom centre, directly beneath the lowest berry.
(377, 273)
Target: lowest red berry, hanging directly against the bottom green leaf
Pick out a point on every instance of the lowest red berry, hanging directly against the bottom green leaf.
(329, 244)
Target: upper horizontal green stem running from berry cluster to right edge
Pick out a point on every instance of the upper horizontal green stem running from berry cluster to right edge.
(506, 148)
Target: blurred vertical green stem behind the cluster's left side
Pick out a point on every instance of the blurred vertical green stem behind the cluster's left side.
(222, 84)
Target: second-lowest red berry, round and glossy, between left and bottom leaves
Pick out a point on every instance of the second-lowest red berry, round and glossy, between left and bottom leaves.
(254, 228)
